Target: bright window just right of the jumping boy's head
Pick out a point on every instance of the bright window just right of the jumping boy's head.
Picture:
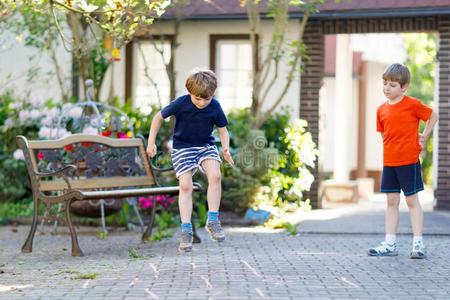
(233, 64)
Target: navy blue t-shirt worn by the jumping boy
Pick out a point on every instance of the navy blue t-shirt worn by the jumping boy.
(194, 126)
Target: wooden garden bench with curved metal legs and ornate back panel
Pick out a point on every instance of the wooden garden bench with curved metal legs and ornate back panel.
(90, 167)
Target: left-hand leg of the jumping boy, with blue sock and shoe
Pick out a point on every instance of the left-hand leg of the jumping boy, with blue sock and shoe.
(185, 207)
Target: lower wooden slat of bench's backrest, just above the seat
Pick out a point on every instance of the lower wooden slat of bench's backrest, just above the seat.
(96, 183)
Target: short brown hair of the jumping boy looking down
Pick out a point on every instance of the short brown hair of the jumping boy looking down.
(202, 83)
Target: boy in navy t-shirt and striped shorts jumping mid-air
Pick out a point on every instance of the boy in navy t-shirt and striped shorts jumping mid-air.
(196, 114)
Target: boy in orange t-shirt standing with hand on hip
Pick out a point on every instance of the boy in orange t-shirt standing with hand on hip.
(398, 122)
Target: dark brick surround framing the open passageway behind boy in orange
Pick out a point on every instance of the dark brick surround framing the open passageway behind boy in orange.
(312, 77)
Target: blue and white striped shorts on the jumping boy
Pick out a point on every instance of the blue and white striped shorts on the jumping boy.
(188, 159)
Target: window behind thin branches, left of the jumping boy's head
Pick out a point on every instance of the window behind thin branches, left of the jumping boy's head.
(150, 81)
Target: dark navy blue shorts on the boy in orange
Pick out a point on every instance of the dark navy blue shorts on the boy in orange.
(407, 178)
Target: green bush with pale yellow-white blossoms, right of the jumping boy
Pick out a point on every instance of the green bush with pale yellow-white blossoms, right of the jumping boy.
(272, 164)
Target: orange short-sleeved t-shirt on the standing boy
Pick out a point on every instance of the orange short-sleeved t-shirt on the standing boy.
(399, 124)
